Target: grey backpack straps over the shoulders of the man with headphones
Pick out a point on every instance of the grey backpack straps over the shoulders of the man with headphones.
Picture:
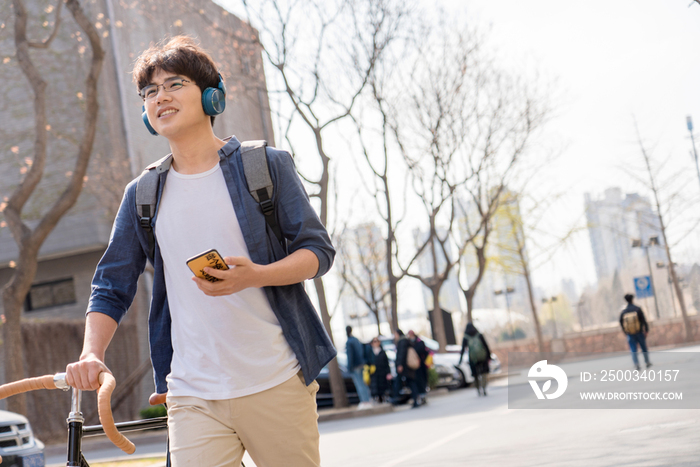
(257, 175)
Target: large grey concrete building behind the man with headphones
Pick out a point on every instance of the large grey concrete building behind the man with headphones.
(123, 146)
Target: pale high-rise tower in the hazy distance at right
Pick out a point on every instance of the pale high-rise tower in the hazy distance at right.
(613, 222)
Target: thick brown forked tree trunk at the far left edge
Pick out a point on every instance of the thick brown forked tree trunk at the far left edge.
(29, 239)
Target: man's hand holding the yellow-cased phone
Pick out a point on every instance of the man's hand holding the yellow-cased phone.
(243, 273)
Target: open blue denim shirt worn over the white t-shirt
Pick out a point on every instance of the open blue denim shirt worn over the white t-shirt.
(115, 280)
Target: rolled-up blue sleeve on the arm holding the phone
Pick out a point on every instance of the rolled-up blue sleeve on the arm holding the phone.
(298, 220)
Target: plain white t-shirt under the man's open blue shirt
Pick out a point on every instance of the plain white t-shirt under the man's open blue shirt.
(223, 347)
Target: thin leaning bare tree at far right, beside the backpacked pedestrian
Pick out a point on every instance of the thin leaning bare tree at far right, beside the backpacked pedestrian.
(664, 208)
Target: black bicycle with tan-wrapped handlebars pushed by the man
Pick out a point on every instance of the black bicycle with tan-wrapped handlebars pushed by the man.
(75, 421)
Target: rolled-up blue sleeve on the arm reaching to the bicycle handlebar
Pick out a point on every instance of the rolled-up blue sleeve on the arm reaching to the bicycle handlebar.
(116, 277)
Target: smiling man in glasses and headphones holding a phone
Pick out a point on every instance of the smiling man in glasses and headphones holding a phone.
(237, 357)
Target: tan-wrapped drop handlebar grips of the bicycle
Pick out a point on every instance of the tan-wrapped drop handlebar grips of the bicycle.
(104, 394)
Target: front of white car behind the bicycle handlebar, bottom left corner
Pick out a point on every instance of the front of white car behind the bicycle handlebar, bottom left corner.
(18, 446)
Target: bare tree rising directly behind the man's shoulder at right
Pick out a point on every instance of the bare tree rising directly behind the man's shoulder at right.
(319, 90)
